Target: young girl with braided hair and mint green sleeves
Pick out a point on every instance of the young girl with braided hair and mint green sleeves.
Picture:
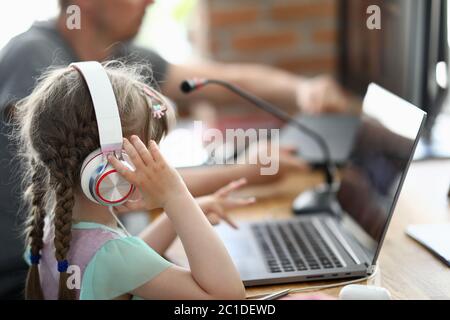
(57, 129)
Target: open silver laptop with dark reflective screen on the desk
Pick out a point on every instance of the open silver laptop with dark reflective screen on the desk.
(344, 243)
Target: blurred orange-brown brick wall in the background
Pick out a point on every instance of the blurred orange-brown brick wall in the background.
(297, 35)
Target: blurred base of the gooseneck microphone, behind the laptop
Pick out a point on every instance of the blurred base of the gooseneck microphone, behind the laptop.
(321, 199)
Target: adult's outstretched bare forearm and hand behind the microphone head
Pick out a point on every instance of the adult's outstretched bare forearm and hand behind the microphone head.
(285, 89)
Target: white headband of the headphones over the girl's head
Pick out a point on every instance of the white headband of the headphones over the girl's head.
(105, 105)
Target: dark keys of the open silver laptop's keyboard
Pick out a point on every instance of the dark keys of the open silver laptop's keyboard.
(294, 246)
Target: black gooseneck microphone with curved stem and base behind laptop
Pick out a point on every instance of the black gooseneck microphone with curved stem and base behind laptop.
(318, 200)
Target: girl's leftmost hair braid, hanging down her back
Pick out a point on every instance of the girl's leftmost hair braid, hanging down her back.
(35, 194)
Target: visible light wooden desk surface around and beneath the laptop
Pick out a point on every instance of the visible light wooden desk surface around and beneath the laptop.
(406, 269)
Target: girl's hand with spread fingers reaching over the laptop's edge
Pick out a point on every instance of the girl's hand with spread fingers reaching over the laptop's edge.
(216, 205)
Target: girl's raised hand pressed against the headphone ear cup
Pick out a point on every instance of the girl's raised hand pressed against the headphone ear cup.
(157, 181)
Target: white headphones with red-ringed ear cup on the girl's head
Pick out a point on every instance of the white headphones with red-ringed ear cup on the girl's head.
(100, 182)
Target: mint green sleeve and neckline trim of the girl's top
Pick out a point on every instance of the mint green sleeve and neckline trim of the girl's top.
(119, 266)
